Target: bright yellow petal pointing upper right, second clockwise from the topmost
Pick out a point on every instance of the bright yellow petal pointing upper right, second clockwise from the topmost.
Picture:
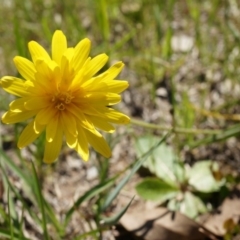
(95, 65)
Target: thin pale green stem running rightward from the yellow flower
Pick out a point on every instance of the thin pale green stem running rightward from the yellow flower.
(176, 129)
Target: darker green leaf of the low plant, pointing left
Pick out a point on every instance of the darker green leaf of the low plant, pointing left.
(156, 190)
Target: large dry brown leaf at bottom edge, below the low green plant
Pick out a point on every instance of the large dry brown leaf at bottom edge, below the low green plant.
(161, 224)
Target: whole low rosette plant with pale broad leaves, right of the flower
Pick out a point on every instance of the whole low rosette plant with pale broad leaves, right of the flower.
(179, 184)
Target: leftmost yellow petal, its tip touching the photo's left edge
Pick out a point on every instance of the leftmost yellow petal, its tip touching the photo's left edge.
(15, 86)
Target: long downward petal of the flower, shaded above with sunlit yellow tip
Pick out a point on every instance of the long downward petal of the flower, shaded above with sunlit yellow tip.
(82, 145)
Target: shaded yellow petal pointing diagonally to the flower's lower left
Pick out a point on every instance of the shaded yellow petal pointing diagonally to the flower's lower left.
(28, 135)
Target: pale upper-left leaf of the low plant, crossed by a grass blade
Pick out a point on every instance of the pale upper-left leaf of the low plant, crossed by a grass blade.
(162, 162)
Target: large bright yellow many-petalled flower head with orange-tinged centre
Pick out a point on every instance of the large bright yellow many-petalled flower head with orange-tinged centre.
(64, 97)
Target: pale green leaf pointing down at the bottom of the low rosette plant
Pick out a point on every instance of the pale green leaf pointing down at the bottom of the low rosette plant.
(192, 205)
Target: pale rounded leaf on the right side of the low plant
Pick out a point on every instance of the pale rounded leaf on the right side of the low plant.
(202, 179)
